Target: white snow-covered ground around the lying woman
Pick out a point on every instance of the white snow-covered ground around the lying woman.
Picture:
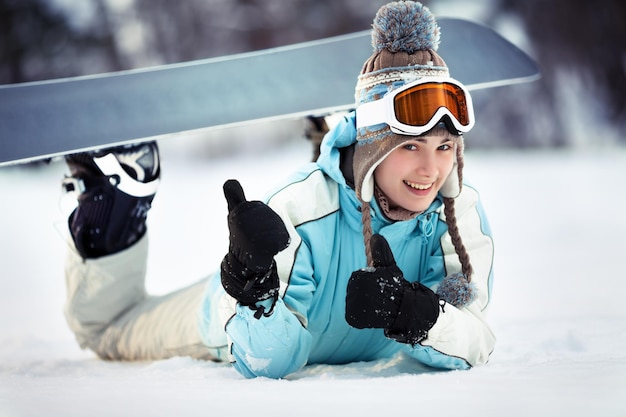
(558, 219)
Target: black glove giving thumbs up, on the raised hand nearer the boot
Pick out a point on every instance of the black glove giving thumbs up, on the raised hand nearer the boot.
(257, 233)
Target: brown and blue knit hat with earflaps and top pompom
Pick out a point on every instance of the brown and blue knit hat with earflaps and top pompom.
(405, 38)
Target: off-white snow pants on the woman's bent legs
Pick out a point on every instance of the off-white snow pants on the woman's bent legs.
(110, 312)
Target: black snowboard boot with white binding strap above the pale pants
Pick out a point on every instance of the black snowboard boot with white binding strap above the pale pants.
(115, 189)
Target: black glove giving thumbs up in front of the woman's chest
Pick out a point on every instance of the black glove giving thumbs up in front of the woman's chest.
(380, 297)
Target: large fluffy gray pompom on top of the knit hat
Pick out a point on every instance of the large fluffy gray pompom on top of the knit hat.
(405, 26)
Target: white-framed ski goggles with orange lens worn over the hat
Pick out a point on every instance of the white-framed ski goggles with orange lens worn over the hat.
(418, 106)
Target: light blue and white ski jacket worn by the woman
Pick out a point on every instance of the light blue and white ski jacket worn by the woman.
(308, 326)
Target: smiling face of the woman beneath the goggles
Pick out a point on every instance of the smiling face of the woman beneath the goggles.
(412, 174)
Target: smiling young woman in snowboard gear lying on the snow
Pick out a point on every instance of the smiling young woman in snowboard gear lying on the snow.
(376, 248)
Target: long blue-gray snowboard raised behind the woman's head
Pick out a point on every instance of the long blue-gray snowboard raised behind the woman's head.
(40, 120)
